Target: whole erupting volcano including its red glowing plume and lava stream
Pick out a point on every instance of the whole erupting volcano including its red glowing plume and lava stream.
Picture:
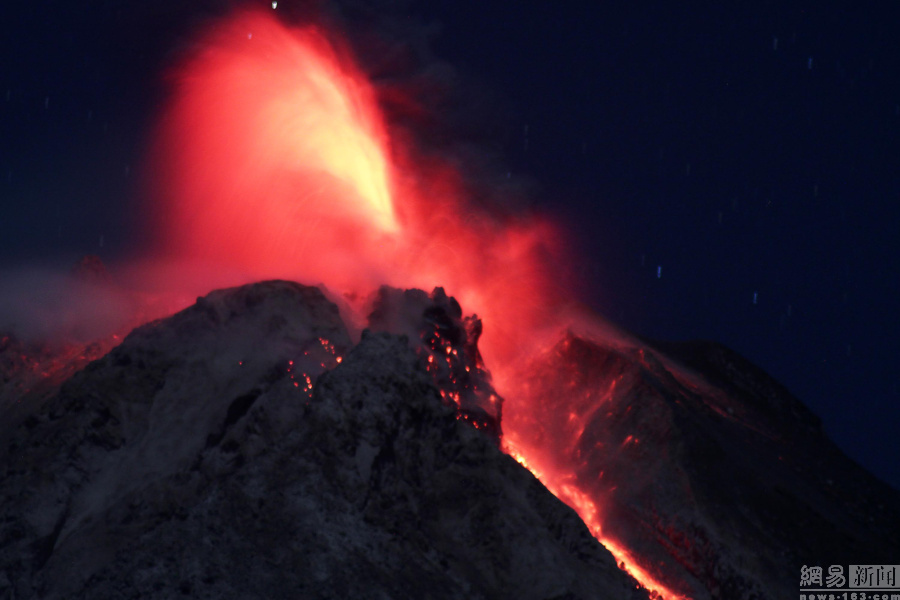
(438, 418)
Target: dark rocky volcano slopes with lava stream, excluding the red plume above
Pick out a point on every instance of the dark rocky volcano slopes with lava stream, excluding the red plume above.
(253, 445)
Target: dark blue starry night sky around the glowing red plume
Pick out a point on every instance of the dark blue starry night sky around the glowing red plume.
(727, 172)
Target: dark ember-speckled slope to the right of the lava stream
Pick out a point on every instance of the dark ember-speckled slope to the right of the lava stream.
(710, 471)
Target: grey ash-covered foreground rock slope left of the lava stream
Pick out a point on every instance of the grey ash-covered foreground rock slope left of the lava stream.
(244, 449)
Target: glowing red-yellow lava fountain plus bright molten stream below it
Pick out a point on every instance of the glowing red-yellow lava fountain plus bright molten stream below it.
(273, 160)
